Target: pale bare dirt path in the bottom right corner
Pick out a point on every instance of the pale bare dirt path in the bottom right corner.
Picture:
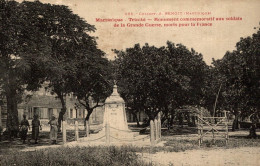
(246, 156)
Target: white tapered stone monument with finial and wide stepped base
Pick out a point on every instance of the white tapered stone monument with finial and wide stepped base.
(115, 128)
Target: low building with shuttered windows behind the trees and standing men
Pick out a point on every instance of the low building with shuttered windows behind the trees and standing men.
(44, 104)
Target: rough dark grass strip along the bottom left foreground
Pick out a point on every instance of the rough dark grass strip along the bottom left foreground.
(74, 156)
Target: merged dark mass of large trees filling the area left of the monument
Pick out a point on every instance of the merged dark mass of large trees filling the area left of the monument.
(44, 42)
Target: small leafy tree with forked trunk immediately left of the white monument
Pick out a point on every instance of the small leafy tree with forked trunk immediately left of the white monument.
(92, 81)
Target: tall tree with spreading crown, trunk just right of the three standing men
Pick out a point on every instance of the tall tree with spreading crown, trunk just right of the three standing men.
(66, 34)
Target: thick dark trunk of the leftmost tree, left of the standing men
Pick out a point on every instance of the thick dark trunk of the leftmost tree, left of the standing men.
(12, 122)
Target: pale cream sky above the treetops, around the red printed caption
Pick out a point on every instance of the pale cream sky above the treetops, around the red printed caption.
(211, 42)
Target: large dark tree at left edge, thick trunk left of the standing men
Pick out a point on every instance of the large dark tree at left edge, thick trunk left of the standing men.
(20, 49)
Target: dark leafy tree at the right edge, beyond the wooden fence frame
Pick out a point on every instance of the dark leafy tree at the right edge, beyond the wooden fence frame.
(240, 69)
